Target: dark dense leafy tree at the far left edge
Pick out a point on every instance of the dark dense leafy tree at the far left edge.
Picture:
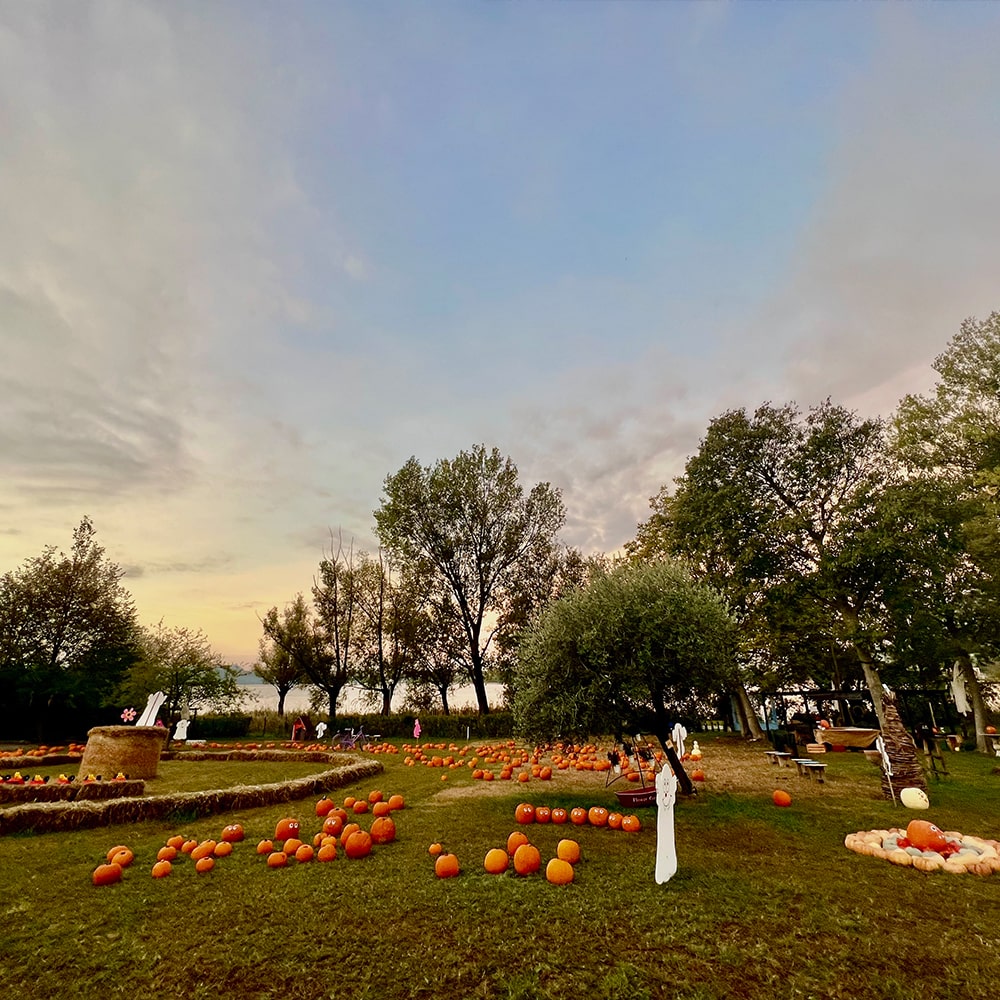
(67, 636)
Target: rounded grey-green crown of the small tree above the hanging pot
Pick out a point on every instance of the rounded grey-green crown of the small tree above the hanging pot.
(639, 647)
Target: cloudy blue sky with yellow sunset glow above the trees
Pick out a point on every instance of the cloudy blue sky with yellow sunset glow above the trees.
(254, 256)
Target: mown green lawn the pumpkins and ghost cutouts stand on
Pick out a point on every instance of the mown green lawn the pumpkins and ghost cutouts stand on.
(766, 902)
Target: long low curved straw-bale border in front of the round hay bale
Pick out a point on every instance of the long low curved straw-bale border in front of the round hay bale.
(49, 817)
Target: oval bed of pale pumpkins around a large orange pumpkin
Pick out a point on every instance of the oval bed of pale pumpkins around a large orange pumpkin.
(924, 846)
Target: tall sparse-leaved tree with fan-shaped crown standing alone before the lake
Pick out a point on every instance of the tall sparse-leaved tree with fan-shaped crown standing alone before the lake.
(470, 519)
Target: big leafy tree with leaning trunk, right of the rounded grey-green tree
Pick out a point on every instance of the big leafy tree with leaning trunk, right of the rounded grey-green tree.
(779, 500)
